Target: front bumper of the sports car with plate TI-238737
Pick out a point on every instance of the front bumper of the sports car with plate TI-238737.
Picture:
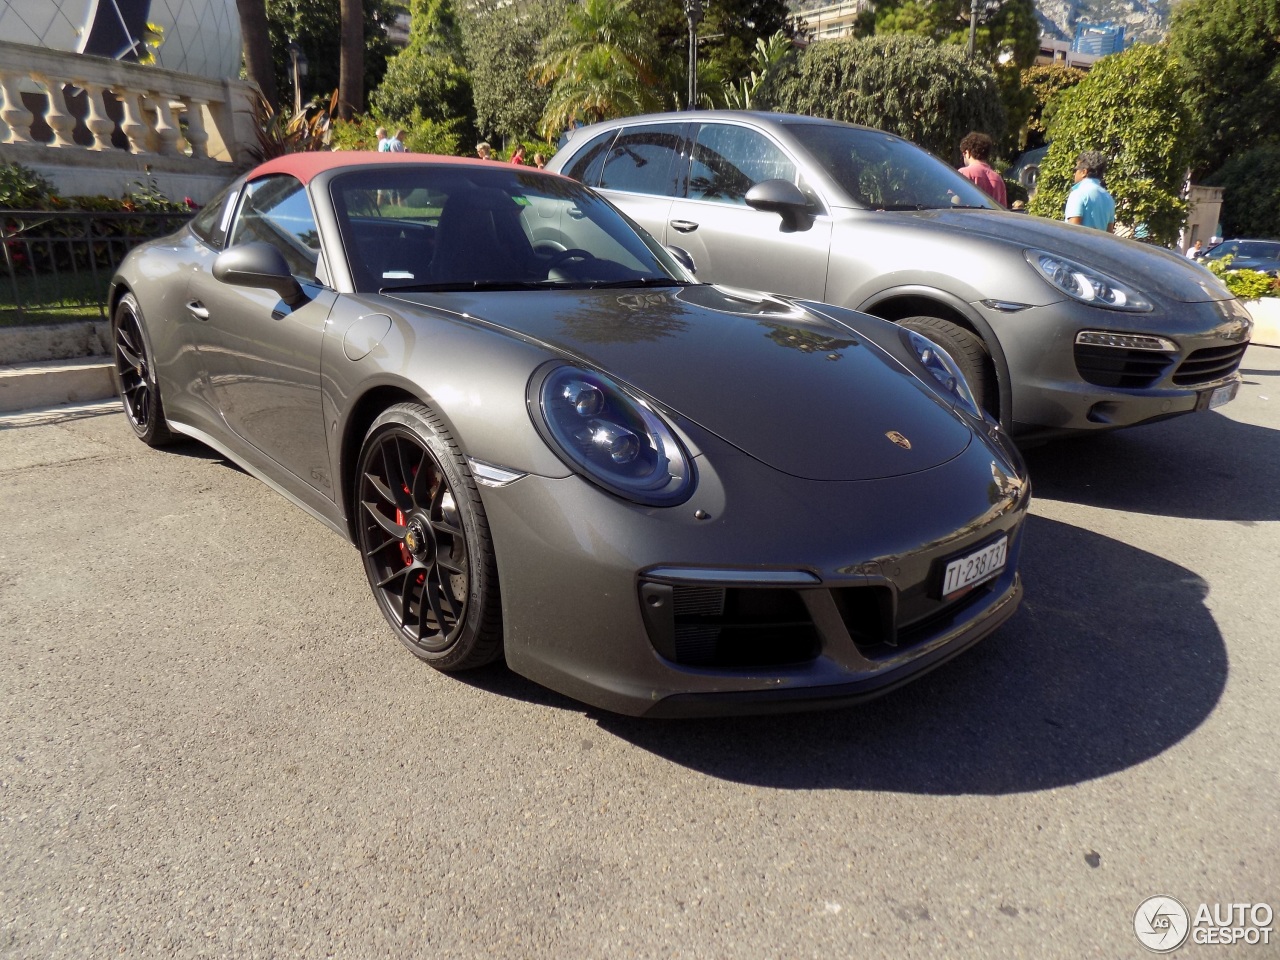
(860, 564)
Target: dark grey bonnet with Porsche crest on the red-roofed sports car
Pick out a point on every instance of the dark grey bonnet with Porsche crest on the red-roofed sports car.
(796, 391)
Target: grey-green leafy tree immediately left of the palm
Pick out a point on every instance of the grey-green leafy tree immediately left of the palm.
(502, 43)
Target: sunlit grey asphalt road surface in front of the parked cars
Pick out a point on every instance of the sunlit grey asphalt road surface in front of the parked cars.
(213, 747)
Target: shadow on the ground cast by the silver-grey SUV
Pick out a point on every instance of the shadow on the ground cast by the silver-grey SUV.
(1205, 467)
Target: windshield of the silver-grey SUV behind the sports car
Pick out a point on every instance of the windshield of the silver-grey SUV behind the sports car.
(883, 172)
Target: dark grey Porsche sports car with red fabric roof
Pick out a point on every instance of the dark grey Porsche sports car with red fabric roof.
(550, 444)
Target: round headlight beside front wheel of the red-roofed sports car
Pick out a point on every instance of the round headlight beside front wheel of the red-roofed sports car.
(610, 437)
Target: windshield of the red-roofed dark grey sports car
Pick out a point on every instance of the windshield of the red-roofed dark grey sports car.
(432, 227)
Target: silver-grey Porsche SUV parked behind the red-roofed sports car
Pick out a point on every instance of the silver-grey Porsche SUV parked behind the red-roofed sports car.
(1058, 328)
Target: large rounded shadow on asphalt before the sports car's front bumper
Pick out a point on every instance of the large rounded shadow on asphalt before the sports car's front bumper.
(1113, 660)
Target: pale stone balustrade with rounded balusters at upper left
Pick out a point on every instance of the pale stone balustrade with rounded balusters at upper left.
(94, 126)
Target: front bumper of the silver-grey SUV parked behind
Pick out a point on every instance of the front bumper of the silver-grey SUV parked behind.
(1060, 388)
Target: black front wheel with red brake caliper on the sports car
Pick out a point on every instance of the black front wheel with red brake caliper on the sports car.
(424, 538)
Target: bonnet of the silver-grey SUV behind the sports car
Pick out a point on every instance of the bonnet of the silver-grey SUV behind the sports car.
(1151, 271)
